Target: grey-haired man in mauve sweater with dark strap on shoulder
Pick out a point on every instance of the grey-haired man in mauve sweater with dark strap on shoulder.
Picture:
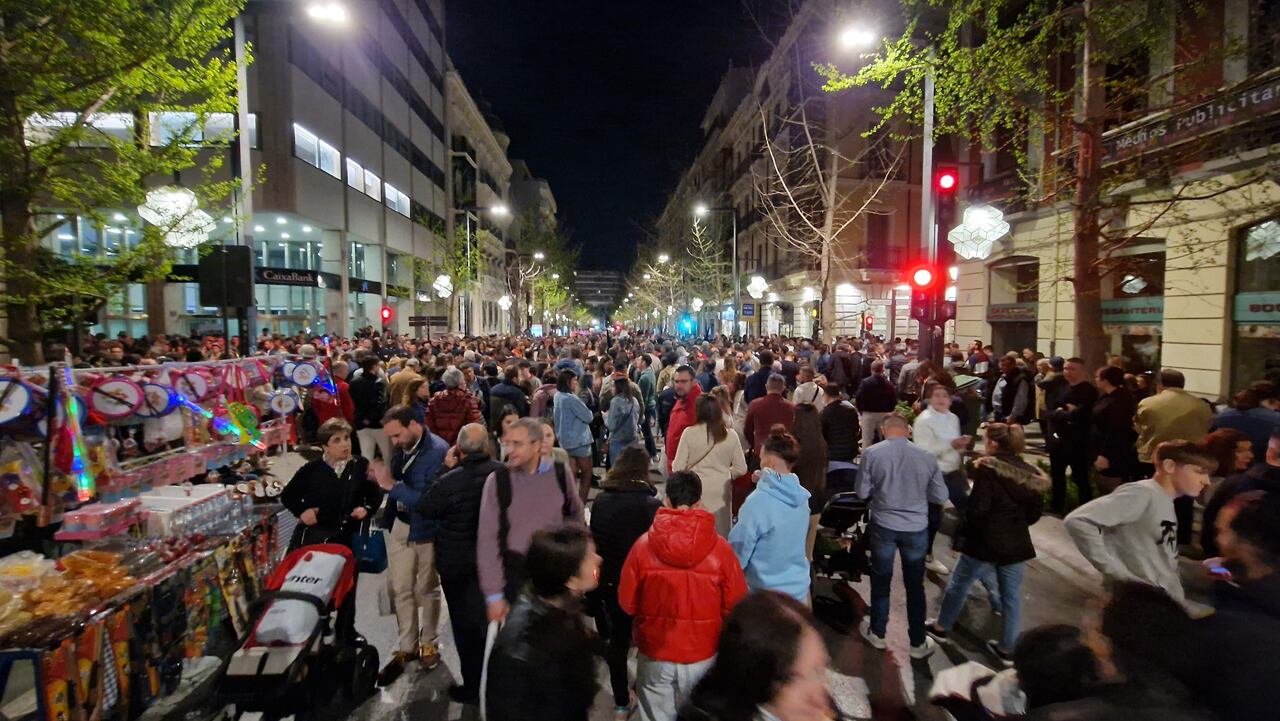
(538, 496)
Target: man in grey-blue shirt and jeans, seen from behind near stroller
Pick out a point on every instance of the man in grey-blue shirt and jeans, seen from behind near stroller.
(899, 481)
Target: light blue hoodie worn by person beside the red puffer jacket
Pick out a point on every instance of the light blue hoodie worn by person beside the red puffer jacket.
(770, 536)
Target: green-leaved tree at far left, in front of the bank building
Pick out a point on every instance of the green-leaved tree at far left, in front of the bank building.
(65, 67)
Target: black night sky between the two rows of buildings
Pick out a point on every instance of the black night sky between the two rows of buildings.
(602, 99)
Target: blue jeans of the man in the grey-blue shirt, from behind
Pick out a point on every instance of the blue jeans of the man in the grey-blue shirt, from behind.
(913, 547)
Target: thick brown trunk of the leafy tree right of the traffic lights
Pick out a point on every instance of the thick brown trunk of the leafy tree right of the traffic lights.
(1091, 343)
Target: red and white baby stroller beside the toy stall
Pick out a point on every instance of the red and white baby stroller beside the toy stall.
(304, 646)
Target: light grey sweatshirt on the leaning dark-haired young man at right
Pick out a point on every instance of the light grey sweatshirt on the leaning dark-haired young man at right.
(1131, 535)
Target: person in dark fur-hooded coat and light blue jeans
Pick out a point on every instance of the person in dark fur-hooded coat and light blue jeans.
(1007, 500)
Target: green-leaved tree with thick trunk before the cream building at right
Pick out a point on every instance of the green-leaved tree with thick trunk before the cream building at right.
(1014, 76)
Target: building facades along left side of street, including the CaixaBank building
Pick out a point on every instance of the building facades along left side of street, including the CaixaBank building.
(368, 153)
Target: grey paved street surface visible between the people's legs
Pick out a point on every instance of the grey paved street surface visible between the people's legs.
(1058, 587)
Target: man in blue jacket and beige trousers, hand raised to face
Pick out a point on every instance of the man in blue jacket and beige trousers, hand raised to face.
(412, 539)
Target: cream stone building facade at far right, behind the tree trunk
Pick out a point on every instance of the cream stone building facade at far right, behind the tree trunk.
(1197, 288)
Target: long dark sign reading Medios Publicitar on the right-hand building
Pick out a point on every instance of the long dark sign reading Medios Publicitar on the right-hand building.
(1223, 112)
